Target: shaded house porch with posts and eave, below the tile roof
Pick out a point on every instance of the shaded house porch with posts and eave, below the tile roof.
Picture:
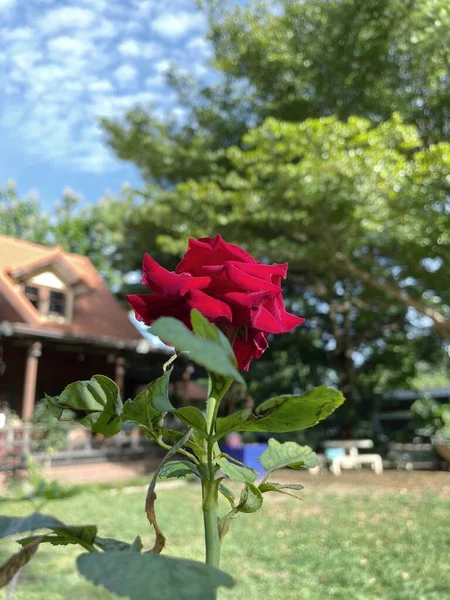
(38, 362)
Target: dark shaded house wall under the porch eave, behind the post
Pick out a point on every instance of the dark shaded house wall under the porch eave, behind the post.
(56, 369)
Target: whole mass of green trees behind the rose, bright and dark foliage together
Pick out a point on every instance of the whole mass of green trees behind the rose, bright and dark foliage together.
(357, 204)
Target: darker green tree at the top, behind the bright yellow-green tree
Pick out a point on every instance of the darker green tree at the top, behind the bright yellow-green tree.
(296, 60)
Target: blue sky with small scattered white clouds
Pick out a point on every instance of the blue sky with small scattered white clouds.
(65, 63)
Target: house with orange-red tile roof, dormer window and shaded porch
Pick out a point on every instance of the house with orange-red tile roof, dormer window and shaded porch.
(60, 323)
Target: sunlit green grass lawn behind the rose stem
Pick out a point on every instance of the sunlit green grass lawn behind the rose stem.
(342, 542)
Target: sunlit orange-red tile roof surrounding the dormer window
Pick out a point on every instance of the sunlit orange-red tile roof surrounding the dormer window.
(96, 313)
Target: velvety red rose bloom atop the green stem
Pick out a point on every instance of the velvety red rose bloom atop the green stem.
(228, 286)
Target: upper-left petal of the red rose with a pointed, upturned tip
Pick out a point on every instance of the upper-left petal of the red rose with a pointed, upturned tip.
(162, 281)
